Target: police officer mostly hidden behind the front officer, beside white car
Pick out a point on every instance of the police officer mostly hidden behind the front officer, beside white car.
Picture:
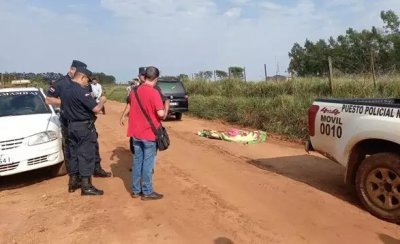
(53, 98)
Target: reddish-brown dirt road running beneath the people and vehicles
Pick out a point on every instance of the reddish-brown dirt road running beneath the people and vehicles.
(215, 192)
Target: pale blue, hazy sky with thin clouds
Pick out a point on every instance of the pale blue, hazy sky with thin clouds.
(177, 36)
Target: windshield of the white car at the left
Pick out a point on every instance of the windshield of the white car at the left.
(22, 103)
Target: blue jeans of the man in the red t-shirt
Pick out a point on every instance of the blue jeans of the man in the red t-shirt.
(142, 165)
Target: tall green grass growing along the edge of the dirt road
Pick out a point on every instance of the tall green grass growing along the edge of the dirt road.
(277, 107)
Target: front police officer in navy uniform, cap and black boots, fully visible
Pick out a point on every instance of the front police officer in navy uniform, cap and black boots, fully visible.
(79, 109)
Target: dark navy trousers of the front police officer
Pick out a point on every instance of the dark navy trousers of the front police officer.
(82, 149)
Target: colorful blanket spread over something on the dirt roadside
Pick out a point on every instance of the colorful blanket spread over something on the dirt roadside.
(235, 135)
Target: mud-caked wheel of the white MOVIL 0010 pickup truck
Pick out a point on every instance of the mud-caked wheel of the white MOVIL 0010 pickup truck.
(378, 185)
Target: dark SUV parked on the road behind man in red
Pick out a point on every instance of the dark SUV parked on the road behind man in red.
(176, 93)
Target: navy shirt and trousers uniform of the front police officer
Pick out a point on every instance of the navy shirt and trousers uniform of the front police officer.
(78, 105)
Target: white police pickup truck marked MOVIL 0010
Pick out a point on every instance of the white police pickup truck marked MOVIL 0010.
(363, 135)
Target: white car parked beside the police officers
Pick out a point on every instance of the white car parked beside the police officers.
(30, 133)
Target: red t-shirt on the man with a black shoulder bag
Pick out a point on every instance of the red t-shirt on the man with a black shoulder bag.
(138, 127)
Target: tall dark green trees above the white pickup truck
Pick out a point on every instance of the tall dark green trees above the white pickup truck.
(376, 50)
